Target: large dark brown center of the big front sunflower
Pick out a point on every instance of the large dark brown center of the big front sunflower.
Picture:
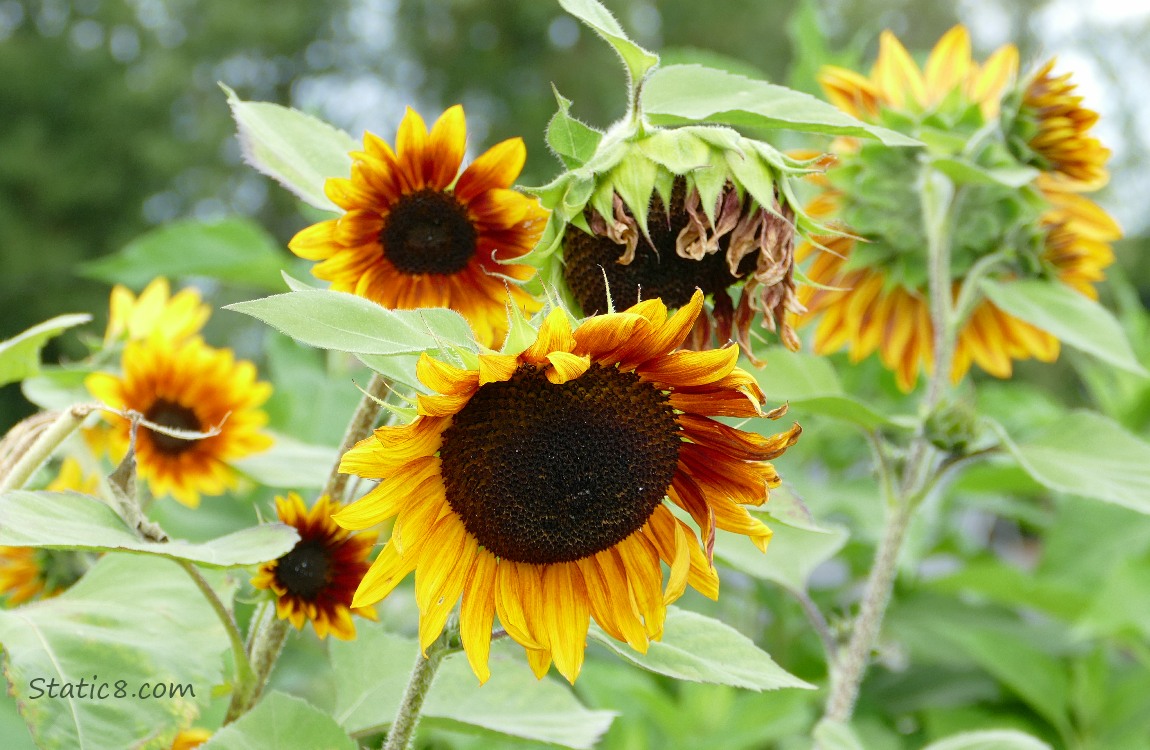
(543, 473)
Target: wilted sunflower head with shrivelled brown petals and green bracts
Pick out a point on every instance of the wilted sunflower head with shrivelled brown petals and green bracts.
(662, 213)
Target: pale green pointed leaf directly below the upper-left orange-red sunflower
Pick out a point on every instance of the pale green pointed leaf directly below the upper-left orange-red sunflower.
(348, 324)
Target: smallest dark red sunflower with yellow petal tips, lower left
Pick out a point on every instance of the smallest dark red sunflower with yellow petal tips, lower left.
(317, 580)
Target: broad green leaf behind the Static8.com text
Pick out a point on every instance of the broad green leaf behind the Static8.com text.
(129, 619)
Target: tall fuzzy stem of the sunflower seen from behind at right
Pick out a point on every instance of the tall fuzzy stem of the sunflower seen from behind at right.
(921, 471)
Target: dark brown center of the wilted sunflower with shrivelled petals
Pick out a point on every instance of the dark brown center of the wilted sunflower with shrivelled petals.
(654, 273)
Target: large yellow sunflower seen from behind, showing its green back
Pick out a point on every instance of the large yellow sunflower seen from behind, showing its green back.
(872, 296)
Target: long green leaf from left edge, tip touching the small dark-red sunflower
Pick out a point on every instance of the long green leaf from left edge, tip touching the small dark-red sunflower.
(73, 522)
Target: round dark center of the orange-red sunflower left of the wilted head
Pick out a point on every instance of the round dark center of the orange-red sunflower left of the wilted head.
(430, 233)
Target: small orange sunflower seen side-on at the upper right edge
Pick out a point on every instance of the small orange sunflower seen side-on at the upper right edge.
(1072, 159)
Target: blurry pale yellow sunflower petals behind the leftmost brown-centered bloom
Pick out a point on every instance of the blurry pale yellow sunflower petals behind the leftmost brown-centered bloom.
(156, 311)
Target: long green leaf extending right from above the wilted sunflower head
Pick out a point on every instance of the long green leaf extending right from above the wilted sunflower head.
(685, 95)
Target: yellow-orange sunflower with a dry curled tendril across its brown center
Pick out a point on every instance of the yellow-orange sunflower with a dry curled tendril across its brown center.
(186, 386)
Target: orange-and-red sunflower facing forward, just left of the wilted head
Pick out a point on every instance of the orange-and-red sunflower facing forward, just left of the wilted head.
(415, 236)
